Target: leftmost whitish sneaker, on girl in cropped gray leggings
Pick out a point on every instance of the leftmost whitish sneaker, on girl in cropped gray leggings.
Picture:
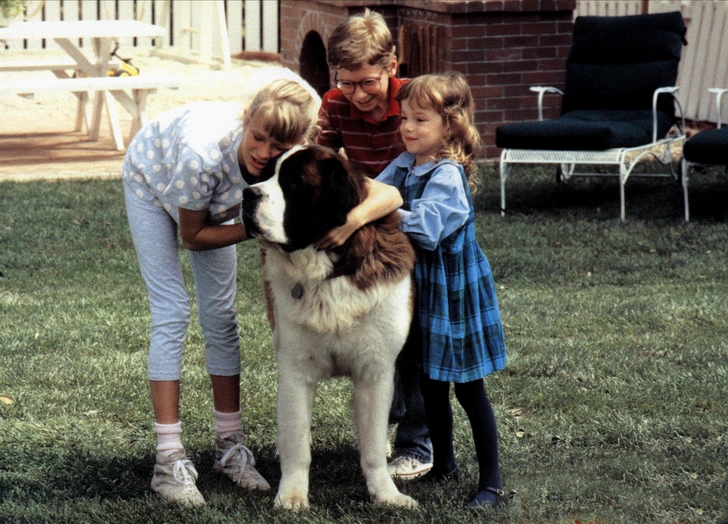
(174, 480)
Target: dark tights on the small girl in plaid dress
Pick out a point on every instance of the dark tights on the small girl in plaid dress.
(473, 399)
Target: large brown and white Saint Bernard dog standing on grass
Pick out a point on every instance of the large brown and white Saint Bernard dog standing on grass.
(344, 312)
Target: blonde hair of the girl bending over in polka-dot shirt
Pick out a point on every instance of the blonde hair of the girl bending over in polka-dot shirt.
(289, 109)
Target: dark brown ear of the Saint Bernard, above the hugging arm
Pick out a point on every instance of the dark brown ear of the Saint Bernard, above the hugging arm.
(340, 181)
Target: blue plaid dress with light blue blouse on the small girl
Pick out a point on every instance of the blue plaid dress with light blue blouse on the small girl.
(462, 333)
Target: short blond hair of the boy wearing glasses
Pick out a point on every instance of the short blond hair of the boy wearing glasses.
(361, 40)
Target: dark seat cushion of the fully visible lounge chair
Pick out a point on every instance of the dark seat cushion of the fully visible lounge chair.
(581, 130)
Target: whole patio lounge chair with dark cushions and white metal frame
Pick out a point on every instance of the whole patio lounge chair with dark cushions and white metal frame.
(618, 103)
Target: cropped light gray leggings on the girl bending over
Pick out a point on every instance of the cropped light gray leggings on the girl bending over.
(154, 233)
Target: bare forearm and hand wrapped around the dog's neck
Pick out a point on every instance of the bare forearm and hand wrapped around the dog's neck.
(381, 200)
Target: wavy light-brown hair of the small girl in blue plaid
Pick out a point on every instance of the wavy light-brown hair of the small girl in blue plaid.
(449, 95)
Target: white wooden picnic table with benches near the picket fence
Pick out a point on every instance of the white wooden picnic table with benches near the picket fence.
(84, 72)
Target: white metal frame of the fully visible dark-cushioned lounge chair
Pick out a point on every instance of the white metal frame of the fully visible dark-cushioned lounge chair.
(568, 160)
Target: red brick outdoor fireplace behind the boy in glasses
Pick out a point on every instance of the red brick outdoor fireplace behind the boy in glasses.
(502, 46)
